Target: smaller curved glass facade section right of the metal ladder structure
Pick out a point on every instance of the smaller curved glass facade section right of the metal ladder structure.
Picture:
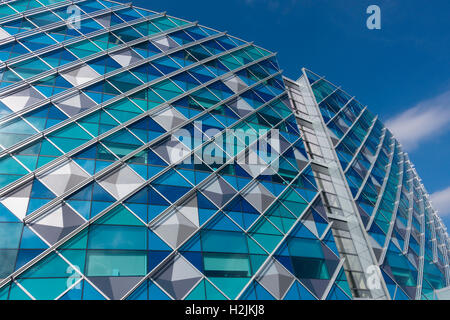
(408, 238)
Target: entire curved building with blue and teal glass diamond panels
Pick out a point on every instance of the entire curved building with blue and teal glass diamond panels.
(145, 157)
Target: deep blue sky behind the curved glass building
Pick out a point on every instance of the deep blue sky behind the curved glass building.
(402, 72)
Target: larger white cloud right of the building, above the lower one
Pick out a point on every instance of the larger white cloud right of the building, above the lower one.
(424, 121)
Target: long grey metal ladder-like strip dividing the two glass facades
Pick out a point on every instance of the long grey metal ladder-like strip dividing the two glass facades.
(363, 273)
